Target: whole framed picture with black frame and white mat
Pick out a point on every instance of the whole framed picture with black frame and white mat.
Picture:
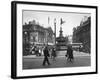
(53, 39)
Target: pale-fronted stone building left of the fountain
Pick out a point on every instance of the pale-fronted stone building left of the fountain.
(36, 35)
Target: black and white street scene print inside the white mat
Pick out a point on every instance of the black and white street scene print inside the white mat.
(56, 39)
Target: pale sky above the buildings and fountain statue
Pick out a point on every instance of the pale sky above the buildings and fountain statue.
(71, 20)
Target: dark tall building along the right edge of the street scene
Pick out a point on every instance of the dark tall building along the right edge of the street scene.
(82, 34)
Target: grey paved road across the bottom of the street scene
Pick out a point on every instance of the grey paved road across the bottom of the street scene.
(80, 60)
